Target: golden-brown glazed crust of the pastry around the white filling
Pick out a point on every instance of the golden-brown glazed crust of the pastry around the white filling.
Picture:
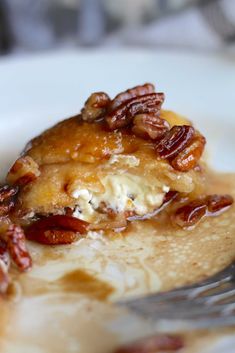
(74, 152)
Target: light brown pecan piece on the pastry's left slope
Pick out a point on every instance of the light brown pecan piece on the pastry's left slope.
(24, 170)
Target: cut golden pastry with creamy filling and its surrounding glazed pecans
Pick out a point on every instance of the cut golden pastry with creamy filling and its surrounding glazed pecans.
(119, 161)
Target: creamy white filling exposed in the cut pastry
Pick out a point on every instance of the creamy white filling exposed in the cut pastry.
(123, 192)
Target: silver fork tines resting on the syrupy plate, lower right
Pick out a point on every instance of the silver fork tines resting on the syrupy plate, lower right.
(209, 303)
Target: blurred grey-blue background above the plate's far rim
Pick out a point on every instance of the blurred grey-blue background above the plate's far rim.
(39, 25)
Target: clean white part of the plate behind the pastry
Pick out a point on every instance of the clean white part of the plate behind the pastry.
(37, 91)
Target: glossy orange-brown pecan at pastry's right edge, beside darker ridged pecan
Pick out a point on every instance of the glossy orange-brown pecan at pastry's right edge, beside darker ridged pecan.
(189, 157)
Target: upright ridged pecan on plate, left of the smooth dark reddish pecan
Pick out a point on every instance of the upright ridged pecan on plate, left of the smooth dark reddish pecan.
(16, 246)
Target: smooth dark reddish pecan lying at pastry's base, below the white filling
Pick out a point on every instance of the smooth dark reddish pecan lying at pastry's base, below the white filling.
(55, 230)
